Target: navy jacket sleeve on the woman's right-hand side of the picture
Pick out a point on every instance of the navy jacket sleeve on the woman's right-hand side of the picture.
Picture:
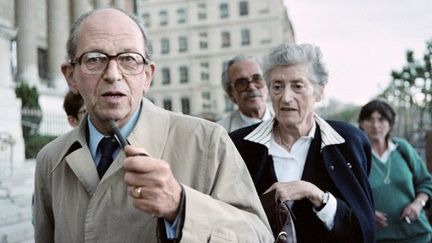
(355, 217)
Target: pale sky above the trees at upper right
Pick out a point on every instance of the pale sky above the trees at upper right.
(362, 40)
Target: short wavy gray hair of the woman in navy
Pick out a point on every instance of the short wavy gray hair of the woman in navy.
(292, 54)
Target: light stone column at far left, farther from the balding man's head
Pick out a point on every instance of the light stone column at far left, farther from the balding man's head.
(27, 41)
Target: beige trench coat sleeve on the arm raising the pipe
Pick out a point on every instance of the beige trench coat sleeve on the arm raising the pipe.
(231, 212)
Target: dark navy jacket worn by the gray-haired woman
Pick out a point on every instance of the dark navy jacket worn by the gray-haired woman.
(341, 169)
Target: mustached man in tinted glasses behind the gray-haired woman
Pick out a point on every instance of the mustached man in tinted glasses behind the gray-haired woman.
(243, 82)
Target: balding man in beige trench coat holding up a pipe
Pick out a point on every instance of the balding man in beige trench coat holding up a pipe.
(158, 188)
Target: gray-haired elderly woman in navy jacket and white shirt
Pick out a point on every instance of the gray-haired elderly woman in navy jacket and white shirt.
(320, 168)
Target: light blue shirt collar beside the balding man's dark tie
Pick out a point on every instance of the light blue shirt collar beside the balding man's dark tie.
(95, 136)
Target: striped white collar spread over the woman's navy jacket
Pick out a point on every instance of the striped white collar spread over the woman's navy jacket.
(263, 133)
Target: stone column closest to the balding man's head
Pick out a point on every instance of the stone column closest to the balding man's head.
(58, 26)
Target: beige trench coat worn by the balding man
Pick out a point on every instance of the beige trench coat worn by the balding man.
(73, 206)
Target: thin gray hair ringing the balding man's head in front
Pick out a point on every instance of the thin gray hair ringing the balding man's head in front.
(72, 42)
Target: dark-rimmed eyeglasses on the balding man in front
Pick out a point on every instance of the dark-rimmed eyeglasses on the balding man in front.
(130, 63)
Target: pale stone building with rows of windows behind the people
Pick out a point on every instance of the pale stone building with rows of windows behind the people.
(192, 40)
